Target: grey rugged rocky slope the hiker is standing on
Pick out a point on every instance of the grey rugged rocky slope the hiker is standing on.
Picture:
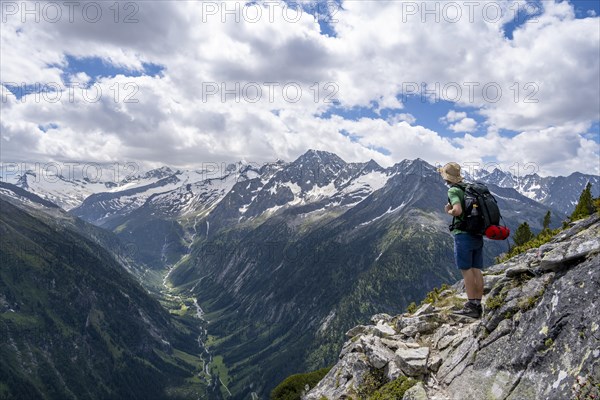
(538, 338)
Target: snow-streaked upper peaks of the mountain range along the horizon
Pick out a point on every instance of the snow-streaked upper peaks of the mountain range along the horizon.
(317, 179)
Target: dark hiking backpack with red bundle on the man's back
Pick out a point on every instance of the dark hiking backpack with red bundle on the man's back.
(481, 214)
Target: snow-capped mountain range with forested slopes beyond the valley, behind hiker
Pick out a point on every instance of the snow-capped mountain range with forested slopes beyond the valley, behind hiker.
(282, 258)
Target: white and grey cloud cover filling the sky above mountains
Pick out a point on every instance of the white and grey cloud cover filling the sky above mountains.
(259, 89)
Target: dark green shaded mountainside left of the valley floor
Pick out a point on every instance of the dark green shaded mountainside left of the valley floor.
(75, 324)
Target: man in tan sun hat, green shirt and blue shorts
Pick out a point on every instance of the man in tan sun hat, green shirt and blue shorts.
(468, 247)
